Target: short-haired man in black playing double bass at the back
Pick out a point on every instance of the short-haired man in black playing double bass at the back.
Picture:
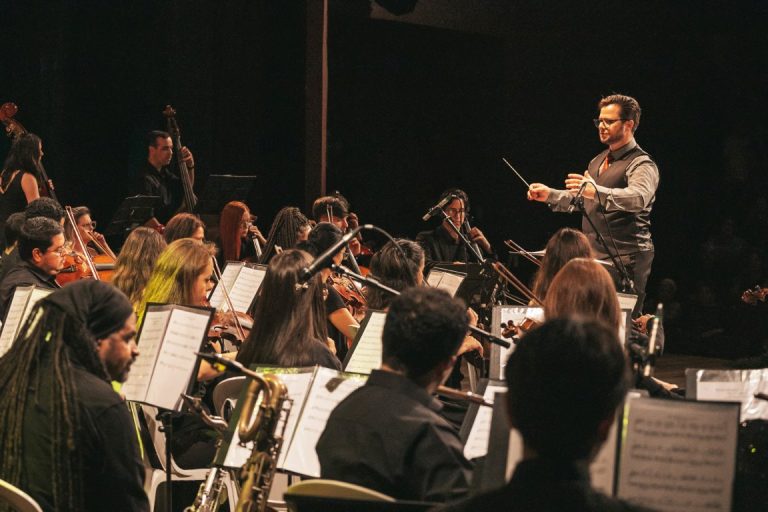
(156, 177)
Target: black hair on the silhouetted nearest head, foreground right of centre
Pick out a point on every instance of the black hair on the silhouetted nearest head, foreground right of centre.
(565, 378)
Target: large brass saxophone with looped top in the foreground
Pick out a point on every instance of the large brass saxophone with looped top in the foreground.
(257, 473)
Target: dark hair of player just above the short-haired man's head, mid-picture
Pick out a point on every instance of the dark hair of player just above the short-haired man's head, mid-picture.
(396, 267)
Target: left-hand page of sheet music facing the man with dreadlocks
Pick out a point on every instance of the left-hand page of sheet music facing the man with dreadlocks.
(150, 339)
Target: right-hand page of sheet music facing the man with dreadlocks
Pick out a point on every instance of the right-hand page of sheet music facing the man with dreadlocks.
(176, 361)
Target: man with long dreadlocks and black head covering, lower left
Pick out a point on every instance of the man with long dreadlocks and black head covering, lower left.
(66, 437)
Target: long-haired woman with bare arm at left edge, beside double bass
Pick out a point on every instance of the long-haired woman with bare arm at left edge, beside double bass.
(21, 178)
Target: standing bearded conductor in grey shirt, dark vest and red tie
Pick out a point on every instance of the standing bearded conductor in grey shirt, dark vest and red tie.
(619, 189)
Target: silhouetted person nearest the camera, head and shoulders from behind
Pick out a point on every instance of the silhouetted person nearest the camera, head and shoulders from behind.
(566, 368)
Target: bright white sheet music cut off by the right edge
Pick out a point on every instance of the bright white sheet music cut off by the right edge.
(735, 386)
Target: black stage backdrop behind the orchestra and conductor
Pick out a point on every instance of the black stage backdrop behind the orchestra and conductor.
(417, 107)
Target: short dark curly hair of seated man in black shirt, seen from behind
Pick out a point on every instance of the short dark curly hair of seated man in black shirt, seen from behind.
(424, 327)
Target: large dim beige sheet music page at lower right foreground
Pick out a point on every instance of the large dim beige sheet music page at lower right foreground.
(678, 455)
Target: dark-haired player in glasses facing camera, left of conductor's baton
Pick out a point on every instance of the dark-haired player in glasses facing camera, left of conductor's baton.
(443, 243)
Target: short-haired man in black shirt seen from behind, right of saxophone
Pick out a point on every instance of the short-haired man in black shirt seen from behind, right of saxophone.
(388, 435)
